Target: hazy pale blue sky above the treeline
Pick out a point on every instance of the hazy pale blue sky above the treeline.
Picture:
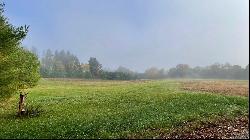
(138, 34)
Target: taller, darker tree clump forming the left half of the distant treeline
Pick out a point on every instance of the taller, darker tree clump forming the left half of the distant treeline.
(66, 65)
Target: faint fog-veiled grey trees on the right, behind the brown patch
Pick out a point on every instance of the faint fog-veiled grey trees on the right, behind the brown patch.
(214, 71)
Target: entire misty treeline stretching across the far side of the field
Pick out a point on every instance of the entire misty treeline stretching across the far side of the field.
(65, 64)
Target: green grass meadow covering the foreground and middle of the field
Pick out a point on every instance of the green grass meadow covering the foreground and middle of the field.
(113, 109)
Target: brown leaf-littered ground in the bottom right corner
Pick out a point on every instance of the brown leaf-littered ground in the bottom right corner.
(237, 128)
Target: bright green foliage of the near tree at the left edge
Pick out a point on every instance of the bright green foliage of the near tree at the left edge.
(19, 68)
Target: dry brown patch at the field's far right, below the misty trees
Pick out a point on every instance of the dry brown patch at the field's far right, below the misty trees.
(237, 88)
